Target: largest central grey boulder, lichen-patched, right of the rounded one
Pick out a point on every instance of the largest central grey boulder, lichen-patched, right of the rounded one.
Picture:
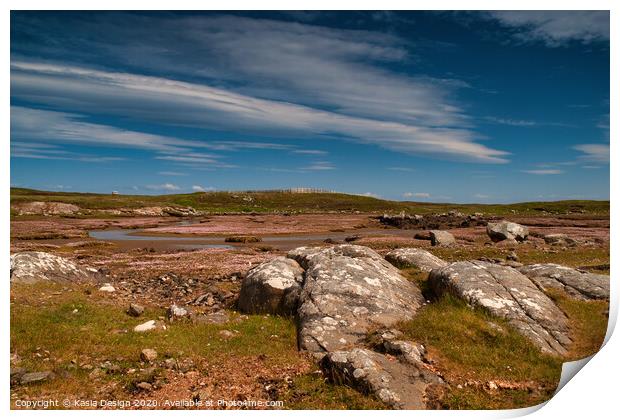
(349, 290)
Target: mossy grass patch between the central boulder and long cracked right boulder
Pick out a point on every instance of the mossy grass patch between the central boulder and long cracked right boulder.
(471, 345)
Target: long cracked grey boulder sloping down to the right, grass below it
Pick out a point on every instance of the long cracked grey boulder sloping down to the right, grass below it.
(508, 294)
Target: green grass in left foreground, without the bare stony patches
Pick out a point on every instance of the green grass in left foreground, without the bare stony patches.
(95, 334)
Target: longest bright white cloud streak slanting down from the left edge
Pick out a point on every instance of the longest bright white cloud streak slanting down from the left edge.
(174, 102)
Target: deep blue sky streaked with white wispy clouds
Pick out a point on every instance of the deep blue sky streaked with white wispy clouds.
(425, 106)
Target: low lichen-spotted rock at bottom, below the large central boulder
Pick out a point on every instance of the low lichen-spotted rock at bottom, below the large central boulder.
(398, 385)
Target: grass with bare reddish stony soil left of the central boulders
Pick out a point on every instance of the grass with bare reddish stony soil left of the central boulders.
(87, 340)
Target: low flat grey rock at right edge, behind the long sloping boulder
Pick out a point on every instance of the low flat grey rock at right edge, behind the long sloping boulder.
(578, 284)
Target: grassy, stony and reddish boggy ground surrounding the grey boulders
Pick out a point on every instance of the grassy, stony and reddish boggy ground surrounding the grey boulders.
(85, 336)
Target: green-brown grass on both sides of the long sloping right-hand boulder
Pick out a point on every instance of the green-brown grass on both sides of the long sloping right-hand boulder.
(487, 363)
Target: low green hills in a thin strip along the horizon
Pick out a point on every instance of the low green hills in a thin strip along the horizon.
(272, 202)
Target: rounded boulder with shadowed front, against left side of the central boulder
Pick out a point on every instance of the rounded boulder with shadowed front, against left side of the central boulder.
(272, 287)
